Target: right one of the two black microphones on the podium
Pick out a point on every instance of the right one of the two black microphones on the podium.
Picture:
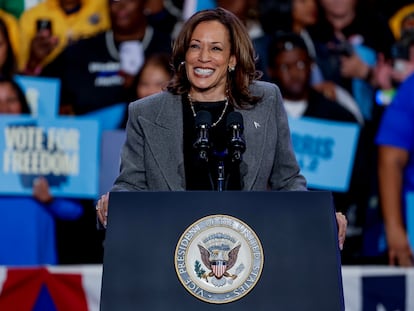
(235, 128)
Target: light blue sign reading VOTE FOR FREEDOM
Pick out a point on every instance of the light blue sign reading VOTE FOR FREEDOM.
(64, 151)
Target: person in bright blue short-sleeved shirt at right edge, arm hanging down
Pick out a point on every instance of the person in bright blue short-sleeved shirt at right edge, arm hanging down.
(396, 171)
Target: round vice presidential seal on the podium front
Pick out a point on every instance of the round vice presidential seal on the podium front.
(219, 259)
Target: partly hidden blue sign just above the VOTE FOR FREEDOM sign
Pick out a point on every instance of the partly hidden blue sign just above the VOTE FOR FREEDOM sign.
(42, 95)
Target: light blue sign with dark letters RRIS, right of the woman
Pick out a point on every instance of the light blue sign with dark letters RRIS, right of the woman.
(325, 151)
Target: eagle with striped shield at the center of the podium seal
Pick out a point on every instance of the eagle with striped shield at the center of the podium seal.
(219, 255)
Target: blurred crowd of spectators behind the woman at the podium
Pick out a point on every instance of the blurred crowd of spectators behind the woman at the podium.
(341, 60)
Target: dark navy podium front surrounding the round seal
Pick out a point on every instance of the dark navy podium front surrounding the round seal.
(297, 231)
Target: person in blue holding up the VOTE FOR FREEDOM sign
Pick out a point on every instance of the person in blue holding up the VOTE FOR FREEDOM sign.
(27, 223)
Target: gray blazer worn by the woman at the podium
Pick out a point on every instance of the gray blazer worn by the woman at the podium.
(152, 157)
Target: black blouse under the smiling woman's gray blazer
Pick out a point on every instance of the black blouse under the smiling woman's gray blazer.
(199, 174)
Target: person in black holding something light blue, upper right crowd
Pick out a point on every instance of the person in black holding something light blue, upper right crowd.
(348, 40)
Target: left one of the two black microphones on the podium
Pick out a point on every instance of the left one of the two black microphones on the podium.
(202, 143)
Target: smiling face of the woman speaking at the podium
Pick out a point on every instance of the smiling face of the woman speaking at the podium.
(208, 58)
